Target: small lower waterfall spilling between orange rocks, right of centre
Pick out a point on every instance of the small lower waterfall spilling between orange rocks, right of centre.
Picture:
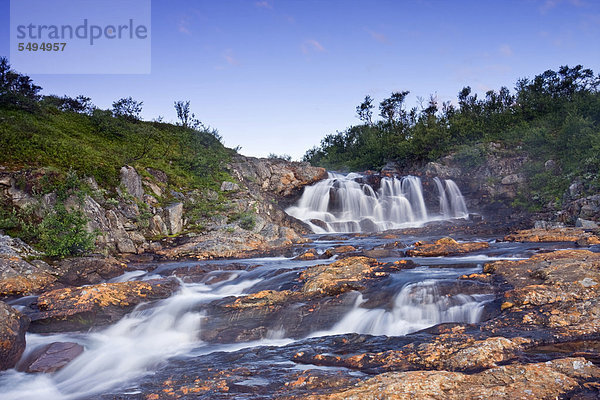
(416, 306)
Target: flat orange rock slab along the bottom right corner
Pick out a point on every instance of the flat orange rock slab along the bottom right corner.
(518, 381)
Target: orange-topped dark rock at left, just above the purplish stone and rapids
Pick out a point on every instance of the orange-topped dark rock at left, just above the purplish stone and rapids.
(83, 307)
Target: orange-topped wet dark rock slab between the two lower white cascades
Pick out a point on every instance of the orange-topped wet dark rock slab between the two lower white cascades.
(321, 294)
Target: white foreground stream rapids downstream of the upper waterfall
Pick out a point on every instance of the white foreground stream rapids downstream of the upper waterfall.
(148, 337)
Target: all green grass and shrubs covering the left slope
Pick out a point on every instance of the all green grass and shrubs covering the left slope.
(69, 138)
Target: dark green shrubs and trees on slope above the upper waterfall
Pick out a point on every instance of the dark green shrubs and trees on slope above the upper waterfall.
(554, 116)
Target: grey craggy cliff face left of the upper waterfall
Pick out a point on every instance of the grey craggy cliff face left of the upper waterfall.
(244, 215)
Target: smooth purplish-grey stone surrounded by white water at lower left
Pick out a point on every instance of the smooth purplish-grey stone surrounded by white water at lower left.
(51, 357)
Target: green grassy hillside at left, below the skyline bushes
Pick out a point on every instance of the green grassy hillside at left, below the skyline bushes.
(100, 144)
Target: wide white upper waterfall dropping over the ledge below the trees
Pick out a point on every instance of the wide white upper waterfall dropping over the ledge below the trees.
(343, 204)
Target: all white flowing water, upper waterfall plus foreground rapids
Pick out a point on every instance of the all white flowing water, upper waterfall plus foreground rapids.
(118, 357)
